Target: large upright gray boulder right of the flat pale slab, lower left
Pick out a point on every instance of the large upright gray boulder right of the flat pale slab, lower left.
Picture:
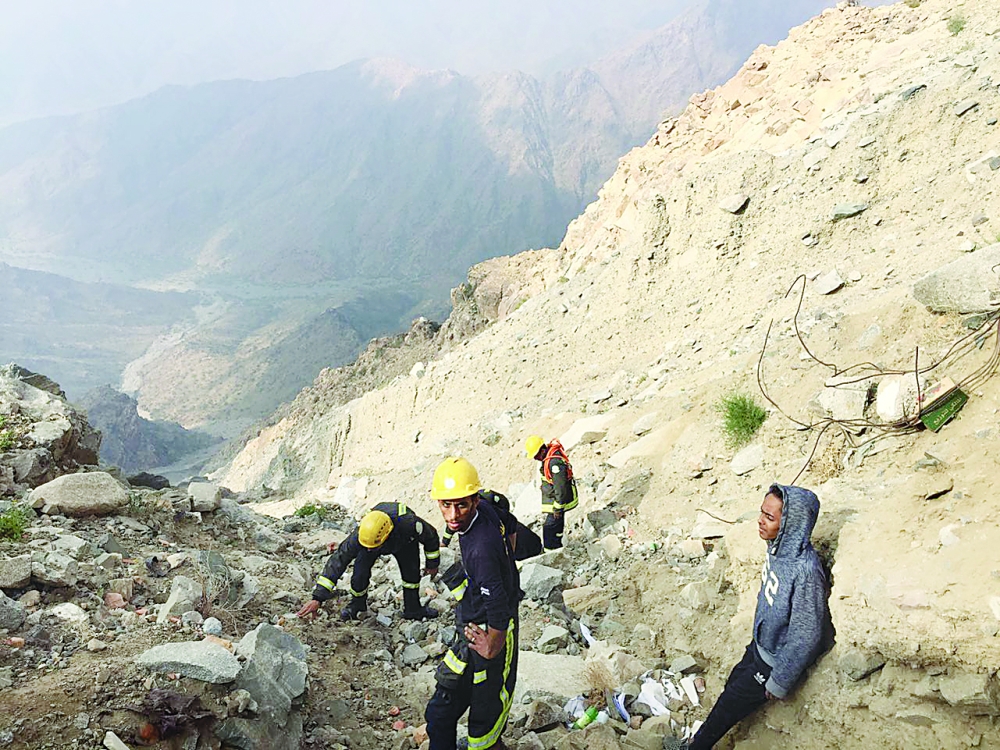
(275, 671)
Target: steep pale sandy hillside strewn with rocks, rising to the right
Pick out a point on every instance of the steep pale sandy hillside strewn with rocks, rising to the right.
(847, 164)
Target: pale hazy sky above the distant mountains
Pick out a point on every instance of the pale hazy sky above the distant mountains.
(66, 55)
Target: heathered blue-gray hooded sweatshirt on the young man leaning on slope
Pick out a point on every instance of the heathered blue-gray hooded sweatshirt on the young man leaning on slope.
(792, 624)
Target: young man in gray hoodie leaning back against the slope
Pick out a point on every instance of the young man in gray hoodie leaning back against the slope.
(791, 626)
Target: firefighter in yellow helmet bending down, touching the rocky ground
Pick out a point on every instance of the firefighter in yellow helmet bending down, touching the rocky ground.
(387, 529)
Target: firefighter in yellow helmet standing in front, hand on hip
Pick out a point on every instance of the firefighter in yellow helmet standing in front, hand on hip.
(479, 670)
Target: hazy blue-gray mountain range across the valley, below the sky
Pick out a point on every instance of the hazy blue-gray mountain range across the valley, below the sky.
(375, 185)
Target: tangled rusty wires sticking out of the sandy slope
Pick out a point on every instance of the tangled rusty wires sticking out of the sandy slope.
(868, 371)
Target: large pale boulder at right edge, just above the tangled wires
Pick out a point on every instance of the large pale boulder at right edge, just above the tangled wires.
(966, 285)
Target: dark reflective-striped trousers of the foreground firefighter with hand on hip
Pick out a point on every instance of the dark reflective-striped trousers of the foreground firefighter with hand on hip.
(485, 688)
